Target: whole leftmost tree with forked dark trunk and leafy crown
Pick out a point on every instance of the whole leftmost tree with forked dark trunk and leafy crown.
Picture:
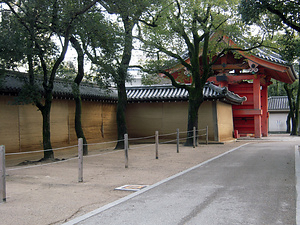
(39, 22)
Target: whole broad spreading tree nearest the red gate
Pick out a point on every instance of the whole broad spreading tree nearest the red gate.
(190, 33)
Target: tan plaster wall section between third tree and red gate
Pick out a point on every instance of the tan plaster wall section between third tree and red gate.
(143, 119)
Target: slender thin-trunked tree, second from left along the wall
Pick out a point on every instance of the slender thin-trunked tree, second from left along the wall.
(91, 32)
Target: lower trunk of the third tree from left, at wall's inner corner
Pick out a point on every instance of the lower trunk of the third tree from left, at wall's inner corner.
(121, 114)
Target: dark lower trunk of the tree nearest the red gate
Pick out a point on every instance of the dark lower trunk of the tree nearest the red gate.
(194, 105)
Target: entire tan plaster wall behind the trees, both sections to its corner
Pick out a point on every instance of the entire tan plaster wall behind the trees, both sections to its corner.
(21, 125)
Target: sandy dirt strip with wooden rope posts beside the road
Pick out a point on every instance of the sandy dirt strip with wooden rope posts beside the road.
(50, 194)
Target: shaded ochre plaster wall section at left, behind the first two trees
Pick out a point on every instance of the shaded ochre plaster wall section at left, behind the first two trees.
(21, 125)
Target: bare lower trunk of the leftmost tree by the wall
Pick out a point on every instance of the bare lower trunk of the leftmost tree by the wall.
(48, 152)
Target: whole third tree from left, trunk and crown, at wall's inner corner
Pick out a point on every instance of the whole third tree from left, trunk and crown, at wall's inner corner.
(128, 13)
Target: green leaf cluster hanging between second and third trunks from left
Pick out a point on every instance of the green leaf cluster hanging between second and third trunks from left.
(102, 41)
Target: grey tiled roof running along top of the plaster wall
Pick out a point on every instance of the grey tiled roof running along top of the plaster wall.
(13, 83)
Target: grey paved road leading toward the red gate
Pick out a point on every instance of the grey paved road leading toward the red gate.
(254, 184)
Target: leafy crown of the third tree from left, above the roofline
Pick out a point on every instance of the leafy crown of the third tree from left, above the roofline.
(107, 39)
